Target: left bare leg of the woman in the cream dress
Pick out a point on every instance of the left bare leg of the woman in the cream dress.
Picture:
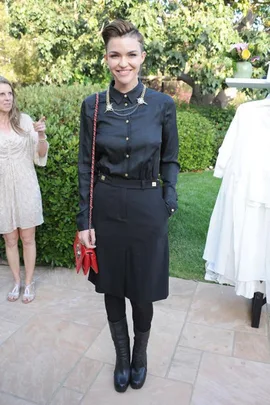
(12, 252)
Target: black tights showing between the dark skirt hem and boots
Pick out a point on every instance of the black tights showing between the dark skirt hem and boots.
(142, 314)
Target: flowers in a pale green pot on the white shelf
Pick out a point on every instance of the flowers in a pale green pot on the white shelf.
(242, 60)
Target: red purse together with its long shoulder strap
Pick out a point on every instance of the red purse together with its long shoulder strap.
(86, 258)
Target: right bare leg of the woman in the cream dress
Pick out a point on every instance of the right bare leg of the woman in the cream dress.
(29, 252)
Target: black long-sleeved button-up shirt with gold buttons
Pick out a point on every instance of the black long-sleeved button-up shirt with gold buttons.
(140, 145)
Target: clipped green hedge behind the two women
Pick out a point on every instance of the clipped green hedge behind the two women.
(58, 180)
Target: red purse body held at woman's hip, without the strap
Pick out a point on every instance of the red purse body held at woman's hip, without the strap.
(85, 257)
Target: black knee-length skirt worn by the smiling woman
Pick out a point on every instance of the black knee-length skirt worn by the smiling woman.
(130, 218)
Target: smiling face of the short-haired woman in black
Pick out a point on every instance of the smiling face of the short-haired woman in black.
(124, 58)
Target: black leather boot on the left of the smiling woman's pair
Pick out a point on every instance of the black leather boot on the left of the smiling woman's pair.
(119, 332)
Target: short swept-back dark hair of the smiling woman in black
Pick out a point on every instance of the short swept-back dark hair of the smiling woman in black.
(121, 28)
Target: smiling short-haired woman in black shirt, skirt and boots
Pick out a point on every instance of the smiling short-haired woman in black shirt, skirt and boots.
(136, 171)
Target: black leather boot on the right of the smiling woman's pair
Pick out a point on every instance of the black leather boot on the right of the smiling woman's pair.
(139, 359)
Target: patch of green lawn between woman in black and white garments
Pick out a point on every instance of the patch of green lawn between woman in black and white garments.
(188, 228)
